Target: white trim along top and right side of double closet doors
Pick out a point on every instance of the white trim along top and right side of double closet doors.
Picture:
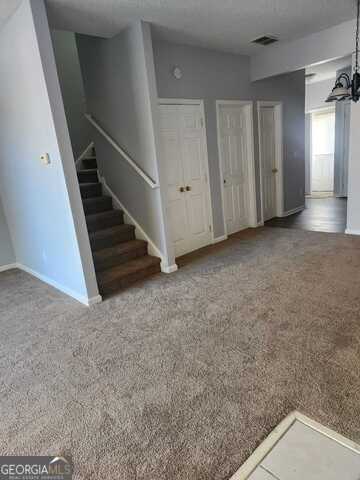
(200, 102)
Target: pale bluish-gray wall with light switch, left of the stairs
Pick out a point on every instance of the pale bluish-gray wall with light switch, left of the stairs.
(42, 203)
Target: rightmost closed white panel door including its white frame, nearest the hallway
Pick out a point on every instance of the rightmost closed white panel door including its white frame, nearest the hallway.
(270, 159)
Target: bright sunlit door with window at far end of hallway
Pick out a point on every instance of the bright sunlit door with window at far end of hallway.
(322, 153)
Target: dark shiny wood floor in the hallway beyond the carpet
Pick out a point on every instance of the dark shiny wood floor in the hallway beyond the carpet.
(320, 215)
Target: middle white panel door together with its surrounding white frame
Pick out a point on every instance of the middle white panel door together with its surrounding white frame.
(236, 154)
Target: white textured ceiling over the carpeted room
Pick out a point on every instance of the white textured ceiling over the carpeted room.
(221, 24)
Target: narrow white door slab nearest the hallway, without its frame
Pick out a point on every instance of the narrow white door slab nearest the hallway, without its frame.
(268, 161)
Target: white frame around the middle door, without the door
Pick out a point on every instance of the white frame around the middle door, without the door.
(248, 104)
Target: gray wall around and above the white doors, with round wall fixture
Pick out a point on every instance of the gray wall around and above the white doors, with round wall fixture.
(211, 75)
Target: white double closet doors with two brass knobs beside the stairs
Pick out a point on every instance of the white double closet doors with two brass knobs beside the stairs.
(184, 160)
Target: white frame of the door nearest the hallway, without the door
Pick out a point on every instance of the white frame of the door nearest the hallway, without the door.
(279, 148)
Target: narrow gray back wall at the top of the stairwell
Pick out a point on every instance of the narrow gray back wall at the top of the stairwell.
(72, 89)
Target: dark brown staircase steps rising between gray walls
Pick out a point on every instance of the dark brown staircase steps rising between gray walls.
(119, 258)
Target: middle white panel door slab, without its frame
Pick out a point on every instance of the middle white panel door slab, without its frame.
(234, 164)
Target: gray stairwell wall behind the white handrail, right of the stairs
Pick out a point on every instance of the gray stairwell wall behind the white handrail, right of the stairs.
(120, 88)
